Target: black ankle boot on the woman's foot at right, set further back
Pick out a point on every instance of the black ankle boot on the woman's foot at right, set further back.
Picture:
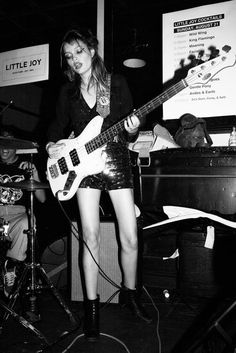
(129, 298)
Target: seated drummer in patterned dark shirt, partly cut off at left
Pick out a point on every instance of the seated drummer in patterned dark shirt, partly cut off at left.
(14, 207)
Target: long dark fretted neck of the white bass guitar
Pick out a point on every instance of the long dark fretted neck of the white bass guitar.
(115, 129)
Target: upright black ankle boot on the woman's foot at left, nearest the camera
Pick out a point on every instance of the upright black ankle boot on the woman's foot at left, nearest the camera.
(91, 320)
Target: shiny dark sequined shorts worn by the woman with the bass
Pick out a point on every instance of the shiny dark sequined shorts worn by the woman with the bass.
(117, 173)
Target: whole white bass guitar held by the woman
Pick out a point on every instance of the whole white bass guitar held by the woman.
(82, 156)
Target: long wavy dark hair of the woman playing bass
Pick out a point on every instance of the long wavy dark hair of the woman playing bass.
(99, 73)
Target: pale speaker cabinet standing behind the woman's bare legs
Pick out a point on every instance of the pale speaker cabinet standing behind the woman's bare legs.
(108, 261)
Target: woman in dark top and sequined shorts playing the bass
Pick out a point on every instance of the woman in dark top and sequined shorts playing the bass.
(90, 91)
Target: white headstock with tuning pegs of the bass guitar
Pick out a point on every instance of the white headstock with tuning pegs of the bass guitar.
(204, 72)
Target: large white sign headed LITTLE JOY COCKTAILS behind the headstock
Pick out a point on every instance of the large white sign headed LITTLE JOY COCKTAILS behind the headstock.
(191, 37)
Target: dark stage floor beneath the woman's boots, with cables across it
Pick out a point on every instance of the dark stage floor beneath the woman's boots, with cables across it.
(179, 325)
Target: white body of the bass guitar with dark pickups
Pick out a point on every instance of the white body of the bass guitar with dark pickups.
(75, 163)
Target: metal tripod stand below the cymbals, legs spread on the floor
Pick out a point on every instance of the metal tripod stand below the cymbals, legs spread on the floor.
(34, 286)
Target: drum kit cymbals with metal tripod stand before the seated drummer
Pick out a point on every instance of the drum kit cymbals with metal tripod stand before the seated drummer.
(33, 275)
